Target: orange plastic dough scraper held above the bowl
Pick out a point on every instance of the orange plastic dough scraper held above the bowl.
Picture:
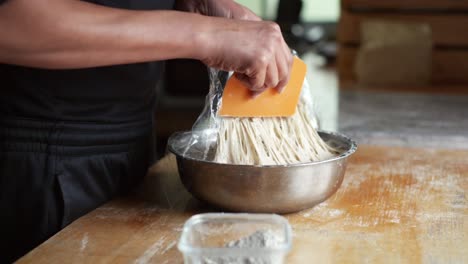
(237, 100)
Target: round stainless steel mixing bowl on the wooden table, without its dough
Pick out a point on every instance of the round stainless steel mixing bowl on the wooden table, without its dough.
(263, 189)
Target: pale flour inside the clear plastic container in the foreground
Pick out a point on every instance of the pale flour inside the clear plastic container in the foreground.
(259, 239)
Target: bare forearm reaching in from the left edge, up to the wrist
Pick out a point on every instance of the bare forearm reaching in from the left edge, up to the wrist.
(76, 34)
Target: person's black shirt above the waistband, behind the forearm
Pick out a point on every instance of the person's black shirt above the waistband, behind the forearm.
(117, 93)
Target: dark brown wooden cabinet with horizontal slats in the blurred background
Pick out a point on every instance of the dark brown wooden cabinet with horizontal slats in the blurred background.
(448, 20)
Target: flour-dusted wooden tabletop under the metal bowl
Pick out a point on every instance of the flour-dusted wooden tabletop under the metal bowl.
(396, 205)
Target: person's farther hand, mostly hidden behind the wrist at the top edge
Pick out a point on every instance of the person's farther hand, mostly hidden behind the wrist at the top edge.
(218, 8)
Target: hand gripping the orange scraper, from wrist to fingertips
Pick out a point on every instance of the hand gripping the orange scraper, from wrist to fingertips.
(254, 50)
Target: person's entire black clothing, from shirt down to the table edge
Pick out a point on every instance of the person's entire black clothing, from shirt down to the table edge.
(70, 140)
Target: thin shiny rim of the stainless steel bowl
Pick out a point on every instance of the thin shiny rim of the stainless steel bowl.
(351, 150)
